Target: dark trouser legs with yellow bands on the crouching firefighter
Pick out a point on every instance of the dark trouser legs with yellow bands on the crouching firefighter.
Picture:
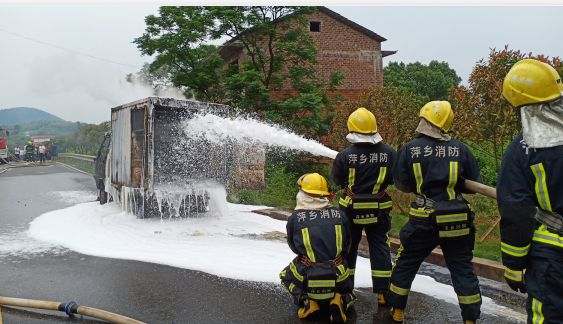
(294, 279)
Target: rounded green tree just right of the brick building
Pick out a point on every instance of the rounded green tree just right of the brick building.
(433, 80)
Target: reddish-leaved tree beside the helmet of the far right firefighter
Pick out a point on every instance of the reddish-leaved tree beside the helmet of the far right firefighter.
(482, 116)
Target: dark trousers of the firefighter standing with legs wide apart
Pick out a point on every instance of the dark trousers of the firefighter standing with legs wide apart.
(418, 239)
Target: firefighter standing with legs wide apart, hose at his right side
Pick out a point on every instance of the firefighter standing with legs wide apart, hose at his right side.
(433, 167)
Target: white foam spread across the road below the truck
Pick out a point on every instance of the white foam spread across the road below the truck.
(225, 246)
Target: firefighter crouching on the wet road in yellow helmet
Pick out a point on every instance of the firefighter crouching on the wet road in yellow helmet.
(320, 236)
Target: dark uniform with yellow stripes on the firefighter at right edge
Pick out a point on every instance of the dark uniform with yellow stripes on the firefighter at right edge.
(531, 178)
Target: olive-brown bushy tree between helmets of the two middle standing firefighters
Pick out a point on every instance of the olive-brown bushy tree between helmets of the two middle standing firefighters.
(396, 110)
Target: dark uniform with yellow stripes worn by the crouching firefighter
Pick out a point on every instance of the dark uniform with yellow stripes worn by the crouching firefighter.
(321, 239)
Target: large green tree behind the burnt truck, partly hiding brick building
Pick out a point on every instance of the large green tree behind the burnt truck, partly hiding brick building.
(277, 78)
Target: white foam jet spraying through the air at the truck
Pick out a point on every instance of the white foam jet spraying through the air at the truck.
(217, 129)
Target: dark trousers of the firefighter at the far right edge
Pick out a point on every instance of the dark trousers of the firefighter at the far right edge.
(544, 283)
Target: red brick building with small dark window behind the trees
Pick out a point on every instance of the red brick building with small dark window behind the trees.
(342, 45)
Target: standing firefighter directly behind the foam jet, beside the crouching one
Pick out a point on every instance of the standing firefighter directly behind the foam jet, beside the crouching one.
(364, 170)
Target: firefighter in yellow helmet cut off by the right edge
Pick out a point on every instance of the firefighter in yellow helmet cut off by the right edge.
(530, 191)
